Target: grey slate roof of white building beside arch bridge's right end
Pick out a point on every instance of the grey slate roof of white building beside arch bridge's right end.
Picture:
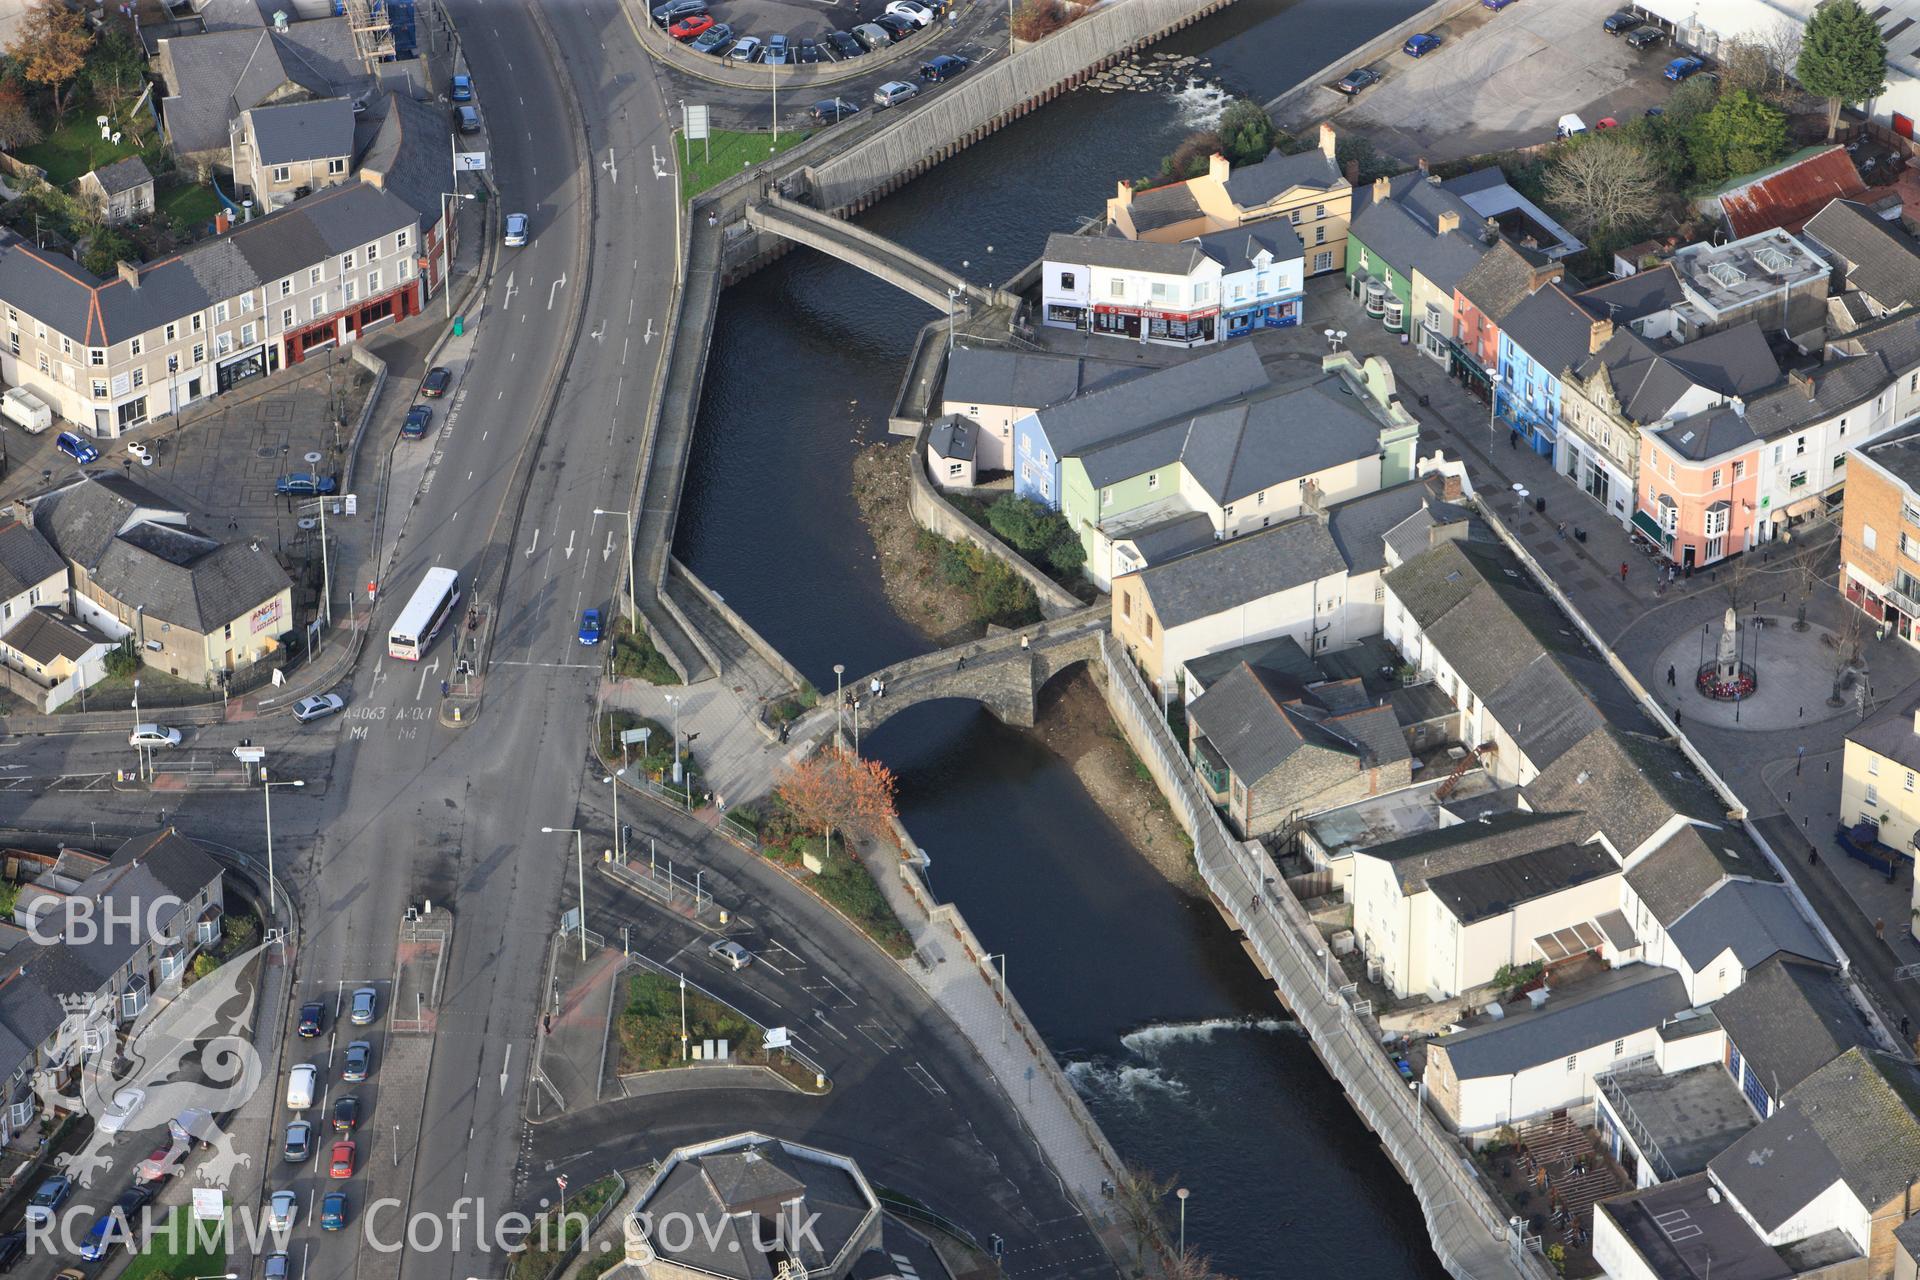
(1239, 571)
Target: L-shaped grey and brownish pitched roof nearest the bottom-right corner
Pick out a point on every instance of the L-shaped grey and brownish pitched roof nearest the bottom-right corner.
(1850, 1122)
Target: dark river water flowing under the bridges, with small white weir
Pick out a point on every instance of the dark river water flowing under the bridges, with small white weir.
(1145, 997)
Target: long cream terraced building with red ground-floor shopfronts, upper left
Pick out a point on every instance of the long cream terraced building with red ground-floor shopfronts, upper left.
(114, 354)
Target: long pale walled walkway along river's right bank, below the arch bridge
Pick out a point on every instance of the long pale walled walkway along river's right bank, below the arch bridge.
(1472, 1243)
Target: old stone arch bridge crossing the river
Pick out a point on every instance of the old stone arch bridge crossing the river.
(1001, 673)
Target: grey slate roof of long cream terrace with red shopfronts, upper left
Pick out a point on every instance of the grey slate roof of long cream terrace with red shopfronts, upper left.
(95, 312)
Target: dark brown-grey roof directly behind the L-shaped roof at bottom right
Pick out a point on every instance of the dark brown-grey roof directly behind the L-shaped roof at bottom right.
(1790, 1018)
